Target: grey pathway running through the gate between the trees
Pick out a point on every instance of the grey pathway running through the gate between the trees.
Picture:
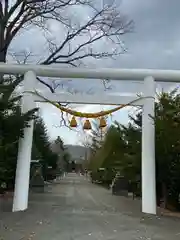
(78, 210)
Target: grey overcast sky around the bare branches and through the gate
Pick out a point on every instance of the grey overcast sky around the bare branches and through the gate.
(155, 43)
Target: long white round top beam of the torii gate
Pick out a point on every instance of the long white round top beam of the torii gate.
(92, 73)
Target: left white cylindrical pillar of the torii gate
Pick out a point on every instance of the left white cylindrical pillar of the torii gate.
(20, 201)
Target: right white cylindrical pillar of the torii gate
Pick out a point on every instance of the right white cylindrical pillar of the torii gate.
(148, 149)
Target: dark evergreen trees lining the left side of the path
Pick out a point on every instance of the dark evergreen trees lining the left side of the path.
(12, 124)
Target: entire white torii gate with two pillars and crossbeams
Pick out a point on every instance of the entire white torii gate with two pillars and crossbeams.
(20, 201)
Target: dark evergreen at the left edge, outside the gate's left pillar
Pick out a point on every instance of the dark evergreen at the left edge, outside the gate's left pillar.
(12, 123)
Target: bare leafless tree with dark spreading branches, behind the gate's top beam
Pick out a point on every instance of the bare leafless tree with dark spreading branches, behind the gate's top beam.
(106, 24)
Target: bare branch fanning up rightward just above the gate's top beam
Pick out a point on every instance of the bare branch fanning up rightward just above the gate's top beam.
(100, 26)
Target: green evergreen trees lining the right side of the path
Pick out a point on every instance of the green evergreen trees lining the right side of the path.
(119, 151)
